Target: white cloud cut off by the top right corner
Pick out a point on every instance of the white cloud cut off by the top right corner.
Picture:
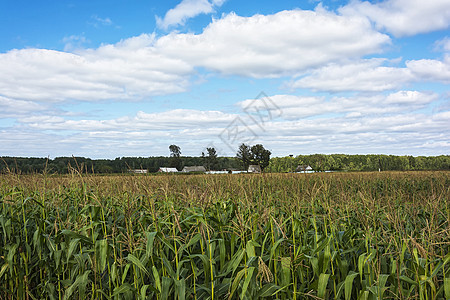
(403, 17)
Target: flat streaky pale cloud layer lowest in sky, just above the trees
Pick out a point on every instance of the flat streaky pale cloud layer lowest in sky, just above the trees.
(392, 123)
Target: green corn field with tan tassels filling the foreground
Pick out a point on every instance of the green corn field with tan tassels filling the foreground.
(242, 236)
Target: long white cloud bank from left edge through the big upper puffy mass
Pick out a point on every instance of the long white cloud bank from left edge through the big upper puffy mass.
(285, 43)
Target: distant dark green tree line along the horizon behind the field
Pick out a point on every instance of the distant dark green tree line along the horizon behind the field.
(245, 156)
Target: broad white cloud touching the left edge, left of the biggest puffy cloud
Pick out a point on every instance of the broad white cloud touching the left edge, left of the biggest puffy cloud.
(129, 70)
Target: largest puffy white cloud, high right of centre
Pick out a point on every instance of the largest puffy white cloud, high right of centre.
(285, 43)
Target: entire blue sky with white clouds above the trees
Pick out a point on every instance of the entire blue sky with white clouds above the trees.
(112, 78)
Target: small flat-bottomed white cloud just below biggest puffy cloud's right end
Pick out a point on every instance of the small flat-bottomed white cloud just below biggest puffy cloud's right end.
(364, 75)
